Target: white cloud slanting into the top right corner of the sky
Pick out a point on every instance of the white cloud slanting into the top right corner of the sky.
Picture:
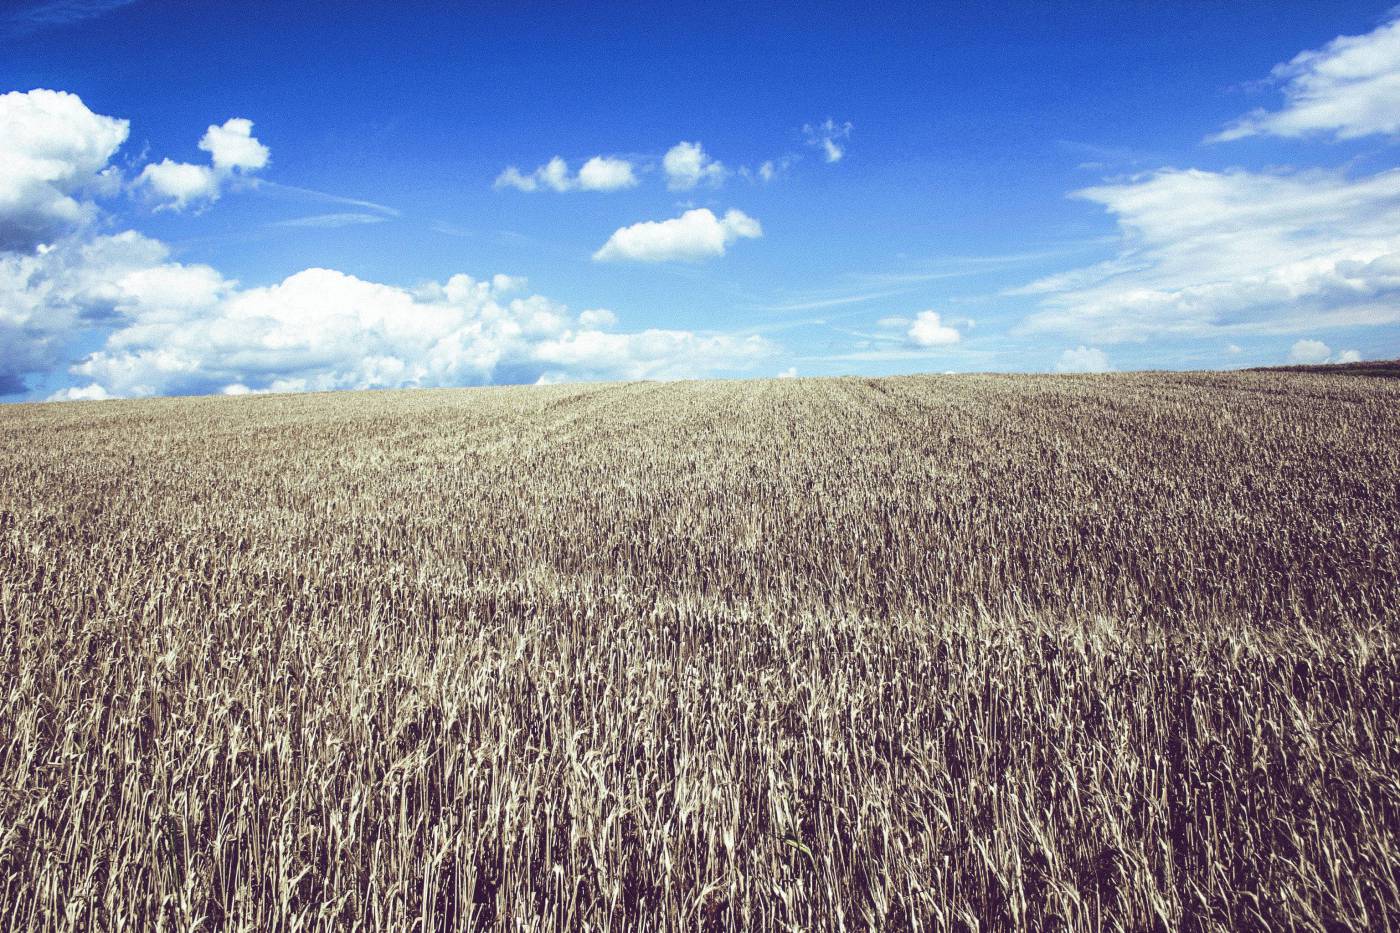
(1347, 89)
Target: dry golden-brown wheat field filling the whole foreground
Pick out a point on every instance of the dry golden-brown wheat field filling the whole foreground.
(930, 654)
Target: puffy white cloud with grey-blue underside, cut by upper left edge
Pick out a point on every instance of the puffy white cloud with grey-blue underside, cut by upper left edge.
(54, 152)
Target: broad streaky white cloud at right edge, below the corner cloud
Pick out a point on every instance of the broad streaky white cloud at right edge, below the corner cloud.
(1213, 254)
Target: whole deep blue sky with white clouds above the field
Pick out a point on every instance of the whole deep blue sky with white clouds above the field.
(229, 198)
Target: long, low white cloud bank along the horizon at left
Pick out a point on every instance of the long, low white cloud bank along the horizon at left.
(166, 327)
